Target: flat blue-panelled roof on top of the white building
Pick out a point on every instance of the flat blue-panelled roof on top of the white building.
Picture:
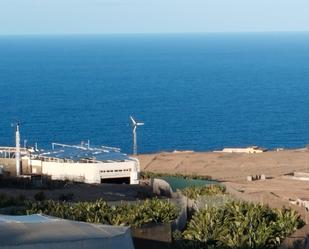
(81, 152)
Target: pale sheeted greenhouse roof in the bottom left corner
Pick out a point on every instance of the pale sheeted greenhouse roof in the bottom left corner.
(40, 231)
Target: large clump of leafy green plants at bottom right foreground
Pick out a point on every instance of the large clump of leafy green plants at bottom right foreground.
(240, 225)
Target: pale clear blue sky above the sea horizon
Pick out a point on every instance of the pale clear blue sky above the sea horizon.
(151, 16)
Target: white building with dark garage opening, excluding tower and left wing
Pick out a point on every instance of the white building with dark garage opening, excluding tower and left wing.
(86, 164)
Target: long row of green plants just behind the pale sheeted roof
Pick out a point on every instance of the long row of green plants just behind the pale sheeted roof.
(148, 211)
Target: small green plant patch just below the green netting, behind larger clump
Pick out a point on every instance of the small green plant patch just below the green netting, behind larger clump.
(193, 192)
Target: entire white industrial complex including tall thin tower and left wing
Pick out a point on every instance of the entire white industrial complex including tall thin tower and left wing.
(80, 163)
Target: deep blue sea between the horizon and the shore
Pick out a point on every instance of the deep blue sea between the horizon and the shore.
(194, 92)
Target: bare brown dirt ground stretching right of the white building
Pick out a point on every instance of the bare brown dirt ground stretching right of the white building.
(233, 169)
